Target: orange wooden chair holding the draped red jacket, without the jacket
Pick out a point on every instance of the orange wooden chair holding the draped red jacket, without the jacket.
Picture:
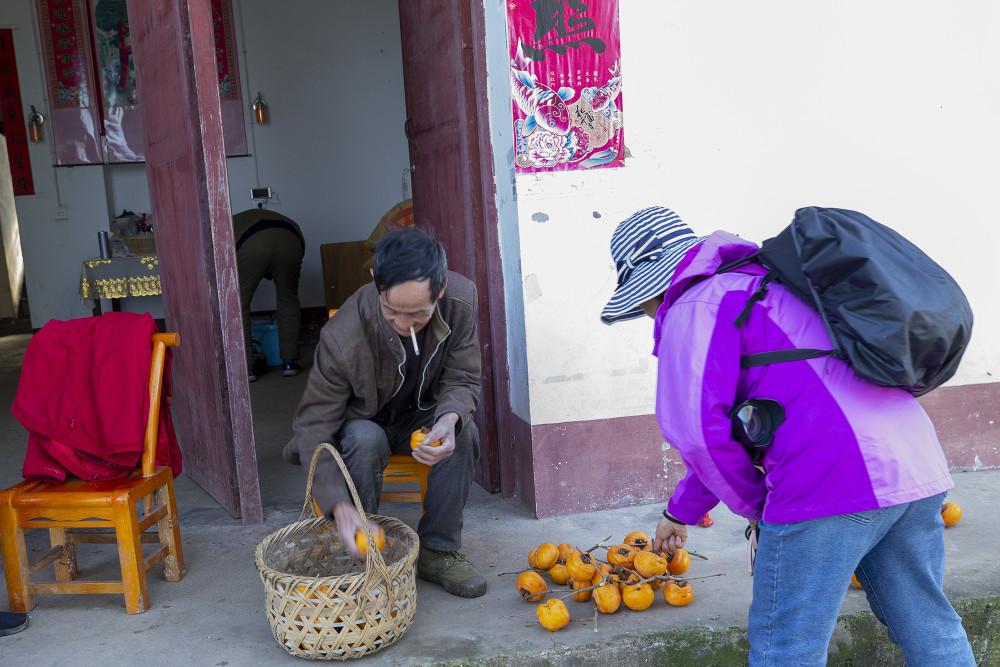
(128, 507)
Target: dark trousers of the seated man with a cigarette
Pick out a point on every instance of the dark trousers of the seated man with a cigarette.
(365, 447)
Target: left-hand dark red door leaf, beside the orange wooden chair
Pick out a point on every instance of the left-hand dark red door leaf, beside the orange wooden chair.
(174, 49)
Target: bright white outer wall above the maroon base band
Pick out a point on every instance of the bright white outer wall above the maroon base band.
(737, 114)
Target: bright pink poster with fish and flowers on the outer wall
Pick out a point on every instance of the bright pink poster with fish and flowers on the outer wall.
(565, 76)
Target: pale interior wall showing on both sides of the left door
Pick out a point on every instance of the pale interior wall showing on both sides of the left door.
(334, 151)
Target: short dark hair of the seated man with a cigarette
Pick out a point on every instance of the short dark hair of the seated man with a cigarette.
(410, 254)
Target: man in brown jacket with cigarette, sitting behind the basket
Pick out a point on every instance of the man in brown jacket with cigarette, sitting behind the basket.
(401, 353)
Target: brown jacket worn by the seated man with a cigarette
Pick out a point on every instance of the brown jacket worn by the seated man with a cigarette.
(358, 367)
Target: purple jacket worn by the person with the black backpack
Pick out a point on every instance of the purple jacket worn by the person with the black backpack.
(846, 445)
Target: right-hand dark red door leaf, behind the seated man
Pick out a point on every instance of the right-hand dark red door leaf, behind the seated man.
(454, 194)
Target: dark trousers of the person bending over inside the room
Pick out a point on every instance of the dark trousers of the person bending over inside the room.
(275, 254)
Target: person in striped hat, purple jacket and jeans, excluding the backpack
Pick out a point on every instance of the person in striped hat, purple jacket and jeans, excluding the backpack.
(850, 482)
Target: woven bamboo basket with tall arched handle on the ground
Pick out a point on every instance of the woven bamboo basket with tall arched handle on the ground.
(323, 605)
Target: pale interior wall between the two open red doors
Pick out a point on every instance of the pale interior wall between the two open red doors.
(334, 150)
